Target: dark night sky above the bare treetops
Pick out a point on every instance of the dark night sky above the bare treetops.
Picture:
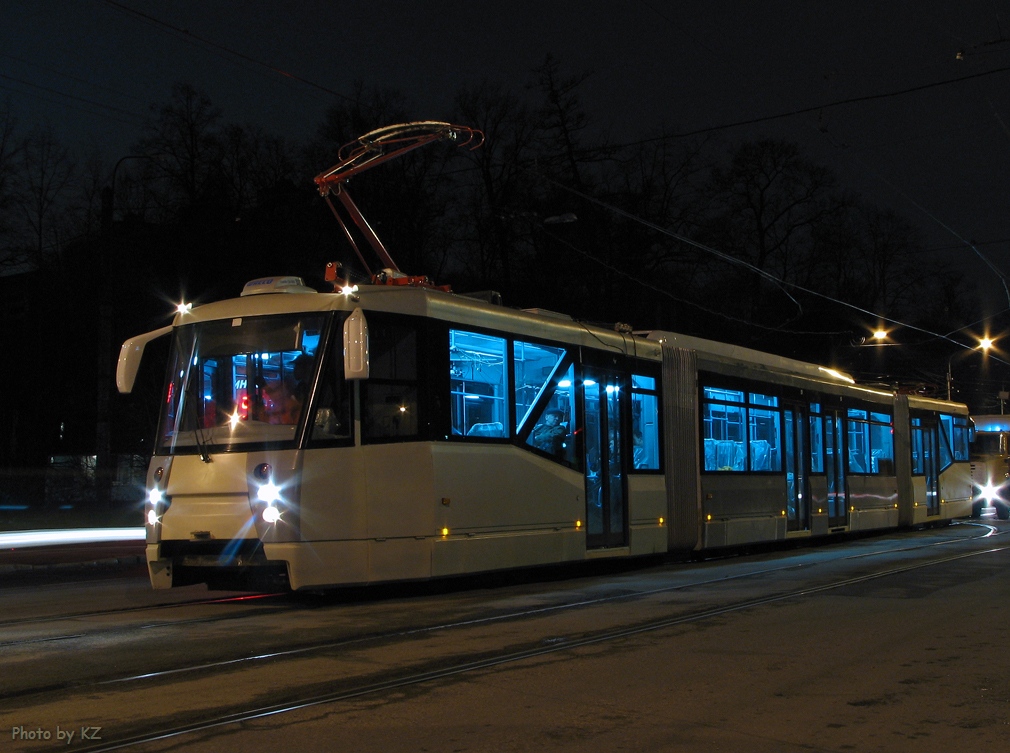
(929, 135)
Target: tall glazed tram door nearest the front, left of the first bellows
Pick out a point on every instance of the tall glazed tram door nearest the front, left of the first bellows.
(607, 509)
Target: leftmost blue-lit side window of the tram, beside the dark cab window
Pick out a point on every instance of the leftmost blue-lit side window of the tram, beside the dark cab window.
(479, 385)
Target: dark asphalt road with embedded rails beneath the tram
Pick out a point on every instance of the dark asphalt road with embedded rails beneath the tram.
(891, 643)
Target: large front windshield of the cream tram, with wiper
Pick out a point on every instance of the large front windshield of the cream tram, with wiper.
(239, 382)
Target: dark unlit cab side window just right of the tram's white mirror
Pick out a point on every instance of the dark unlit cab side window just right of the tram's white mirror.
(389, 396)
